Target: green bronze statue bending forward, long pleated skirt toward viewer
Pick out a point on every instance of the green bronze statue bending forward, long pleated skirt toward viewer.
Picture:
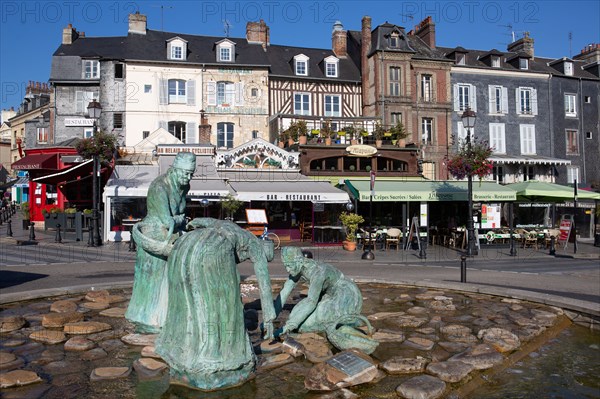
(204, 339)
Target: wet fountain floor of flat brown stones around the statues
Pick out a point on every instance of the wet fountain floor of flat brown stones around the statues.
(432, 343)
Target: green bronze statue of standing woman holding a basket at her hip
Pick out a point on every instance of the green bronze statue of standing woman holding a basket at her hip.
(155, 236)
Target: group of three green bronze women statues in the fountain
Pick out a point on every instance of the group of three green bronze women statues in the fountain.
(187, 290)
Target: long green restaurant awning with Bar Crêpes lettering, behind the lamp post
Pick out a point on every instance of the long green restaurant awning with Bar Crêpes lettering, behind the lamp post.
(429, 191)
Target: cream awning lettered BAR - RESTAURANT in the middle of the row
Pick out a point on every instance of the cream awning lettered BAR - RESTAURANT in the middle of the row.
(301, 190)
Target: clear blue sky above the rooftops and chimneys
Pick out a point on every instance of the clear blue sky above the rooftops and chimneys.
(30, 31)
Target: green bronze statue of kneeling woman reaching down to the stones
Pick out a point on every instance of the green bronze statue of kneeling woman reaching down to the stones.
(333, 304)
